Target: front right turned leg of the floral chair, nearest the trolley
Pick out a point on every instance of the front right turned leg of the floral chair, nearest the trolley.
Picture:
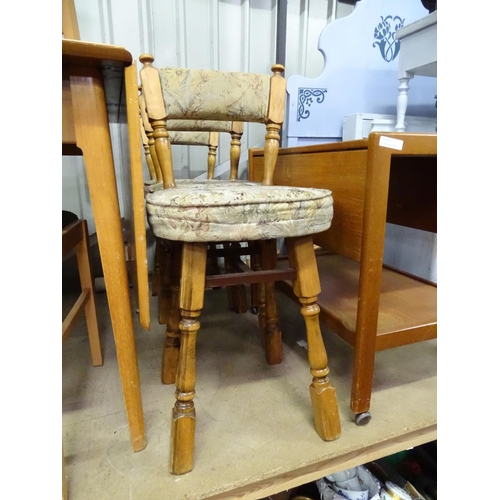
(307, 288)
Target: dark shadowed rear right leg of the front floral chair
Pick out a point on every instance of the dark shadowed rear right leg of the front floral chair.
(272, 345)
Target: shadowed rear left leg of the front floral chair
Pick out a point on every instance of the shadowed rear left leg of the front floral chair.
(170, 358)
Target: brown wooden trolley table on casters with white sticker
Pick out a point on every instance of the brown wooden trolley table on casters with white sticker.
(389, 177)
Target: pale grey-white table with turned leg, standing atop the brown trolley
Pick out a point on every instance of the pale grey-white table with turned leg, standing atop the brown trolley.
(417, 56)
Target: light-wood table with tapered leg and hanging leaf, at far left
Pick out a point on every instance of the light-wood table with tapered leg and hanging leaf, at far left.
(85, 130)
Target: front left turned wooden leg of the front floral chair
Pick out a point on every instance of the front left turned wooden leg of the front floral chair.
(194, 261)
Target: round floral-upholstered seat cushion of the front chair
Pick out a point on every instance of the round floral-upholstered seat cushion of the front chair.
(241, 211)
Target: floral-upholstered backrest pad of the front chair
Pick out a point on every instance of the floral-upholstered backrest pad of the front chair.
(214, 95)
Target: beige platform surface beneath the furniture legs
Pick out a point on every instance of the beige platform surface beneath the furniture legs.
(254, 421)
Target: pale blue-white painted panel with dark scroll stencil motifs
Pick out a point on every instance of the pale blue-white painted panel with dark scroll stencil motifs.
(360, 73)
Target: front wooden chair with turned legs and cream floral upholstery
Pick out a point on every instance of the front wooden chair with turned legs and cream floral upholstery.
(196, 216)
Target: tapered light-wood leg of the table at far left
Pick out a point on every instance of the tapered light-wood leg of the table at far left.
(93, 138)
